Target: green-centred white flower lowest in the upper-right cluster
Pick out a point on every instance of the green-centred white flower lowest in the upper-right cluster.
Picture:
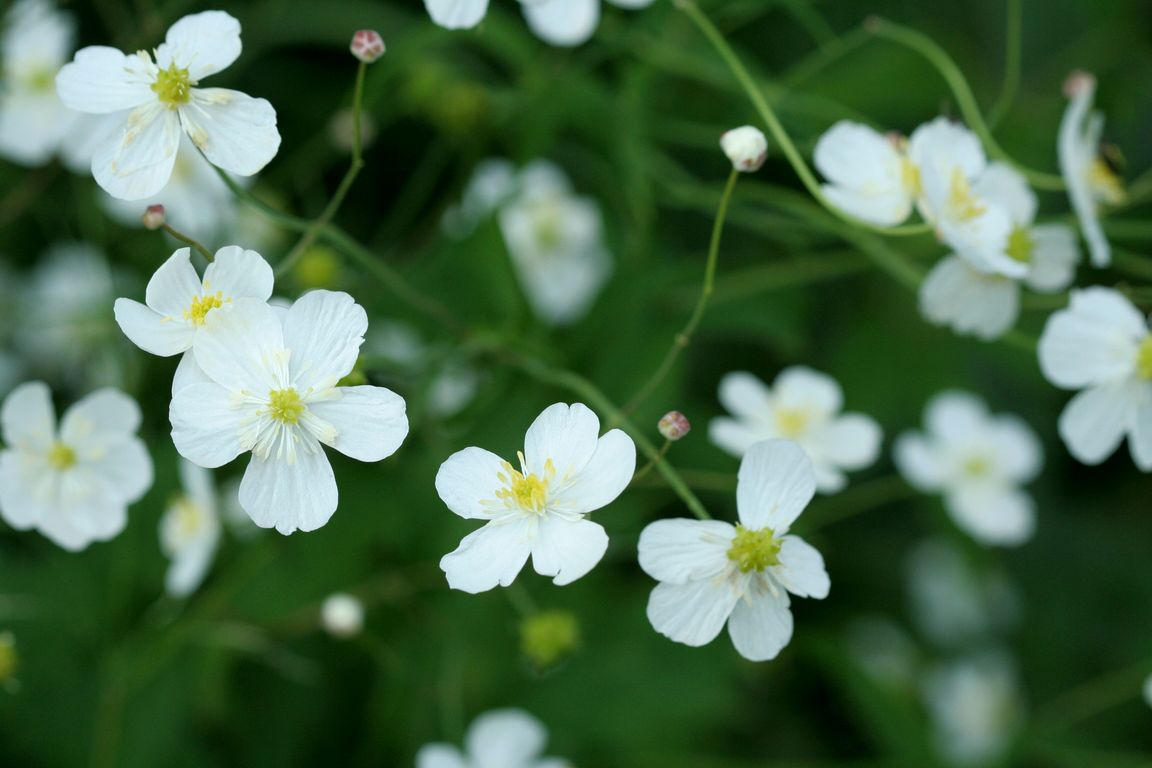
(959, 295)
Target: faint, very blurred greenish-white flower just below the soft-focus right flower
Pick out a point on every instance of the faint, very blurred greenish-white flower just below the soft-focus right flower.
(954, 604)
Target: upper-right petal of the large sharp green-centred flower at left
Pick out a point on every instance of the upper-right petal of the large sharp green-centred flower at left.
(324, 330)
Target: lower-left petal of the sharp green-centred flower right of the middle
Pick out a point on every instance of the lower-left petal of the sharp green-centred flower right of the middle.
(693, 613)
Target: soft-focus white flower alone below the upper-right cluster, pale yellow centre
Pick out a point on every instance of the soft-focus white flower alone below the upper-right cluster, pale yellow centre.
(979, 462)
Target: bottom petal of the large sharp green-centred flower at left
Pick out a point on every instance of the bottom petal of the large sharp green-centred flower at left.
(297, 497)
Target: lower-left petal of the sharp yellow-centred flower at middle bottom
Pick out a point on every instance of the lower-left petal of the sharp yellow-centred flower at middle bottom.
(490, 557)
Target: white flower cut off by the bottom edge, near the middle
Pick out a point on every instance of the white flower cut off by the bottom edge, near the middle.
(502, 739)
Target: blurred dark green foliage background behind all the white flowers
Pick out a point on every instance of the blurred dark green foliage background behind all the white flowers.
(113, 674)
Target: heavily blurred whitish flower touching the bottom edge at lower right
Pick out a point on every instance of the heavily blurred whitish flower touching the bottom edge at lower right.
(975, 709)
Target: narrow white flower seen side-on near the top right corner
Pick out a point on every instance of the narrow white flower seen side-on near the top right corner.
(1089, 178)
